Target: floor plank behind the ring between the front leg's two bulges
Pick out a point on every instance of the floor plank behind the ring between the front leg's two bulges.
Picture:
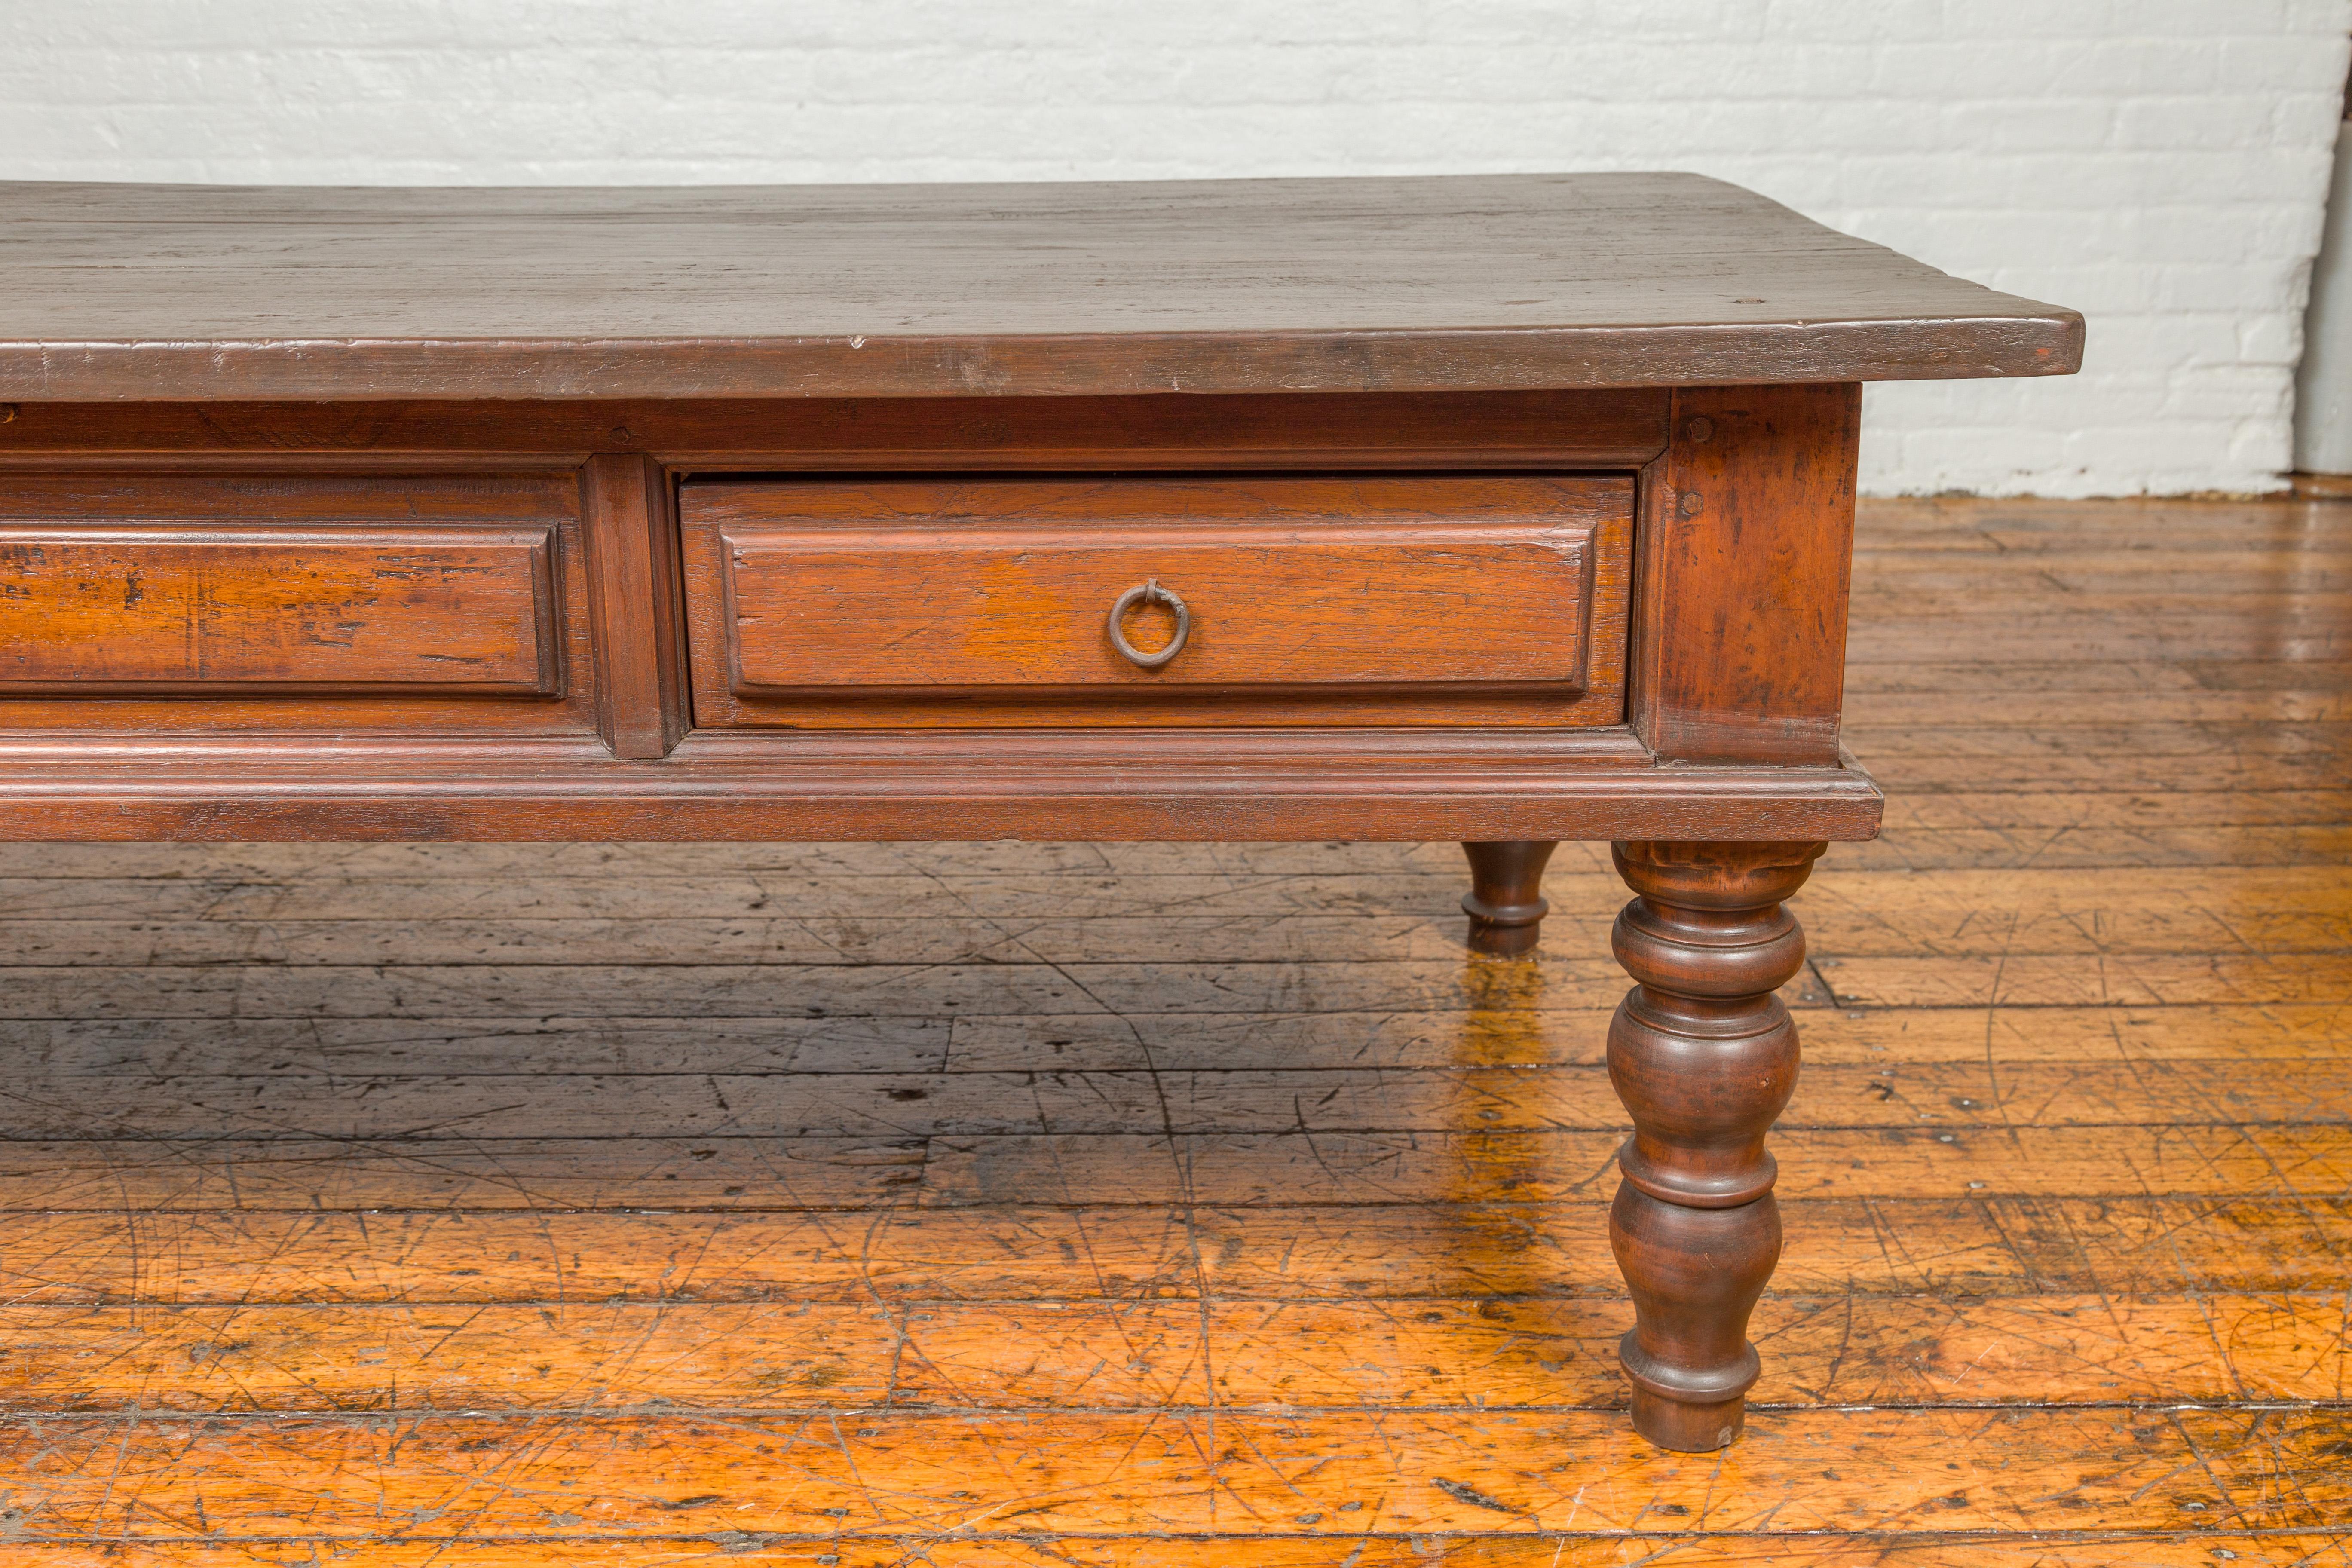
(737, 1172)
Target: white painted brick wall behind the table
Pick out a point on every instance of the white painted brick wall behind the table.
(2156, 163)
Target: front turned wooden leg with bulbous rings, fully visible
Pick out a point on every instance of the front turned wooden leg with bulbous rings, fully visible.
(1704, 1059)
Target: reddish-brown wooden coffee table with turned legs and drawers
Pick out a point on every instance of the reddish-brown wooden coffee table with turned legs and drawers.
(1502, 509)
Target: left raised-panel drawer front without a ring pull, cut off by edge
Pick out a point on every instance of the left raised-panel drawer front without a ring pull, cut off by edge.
(283, 601)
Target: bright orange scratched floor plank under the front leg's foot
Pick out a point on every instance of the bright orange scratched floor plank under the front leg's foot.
(1342, 1473)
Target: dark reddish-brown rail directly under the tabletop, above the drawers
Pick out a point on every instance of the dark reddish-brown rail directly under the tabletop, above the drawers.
(1398, 431)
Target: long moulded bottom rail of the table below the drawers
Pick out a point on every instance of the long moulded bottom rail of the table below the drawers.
(1196, 784)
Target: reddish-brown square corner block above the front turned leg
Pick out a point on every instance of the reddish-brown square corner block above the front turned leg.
(1742, 598)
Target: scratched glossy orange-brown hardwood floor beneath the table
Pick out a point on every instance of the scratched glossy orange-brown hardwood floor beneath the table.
(1210, 1205)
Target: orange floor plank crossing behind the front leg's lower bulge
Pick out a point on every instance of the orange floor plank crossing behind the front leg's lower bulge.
(996, 1252)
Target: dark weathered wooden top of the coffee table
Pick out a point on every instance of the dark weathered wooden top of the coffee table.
(1441, 283)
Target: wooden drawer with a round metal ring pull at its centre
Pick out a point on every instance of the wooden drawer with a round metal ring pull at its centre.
(1351, 601)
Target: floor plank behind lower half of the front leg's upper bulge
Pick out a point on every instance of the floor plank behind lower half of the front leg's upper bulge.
(806, 1104)
